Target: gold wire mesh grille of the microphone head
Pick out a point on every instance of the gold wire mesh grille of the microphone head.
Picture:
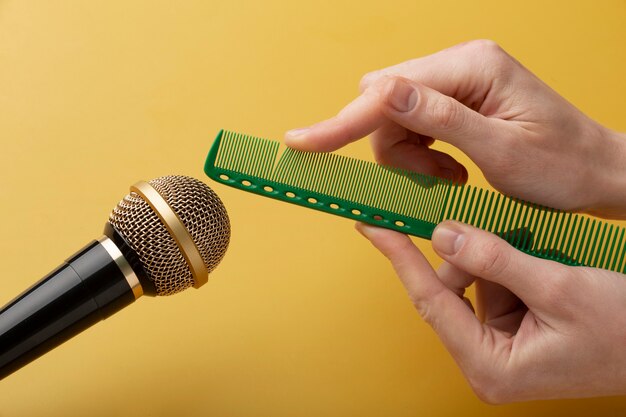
(200, 211)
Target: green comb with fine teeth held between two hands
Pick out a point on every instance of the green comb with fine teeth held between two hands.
(409, 202)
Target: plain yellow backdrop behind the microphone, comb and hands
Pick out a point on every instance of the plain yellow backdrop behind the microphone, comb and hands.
(303, 317)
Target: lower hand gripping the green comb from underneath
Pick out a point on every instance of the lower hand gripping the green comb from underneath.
(545, 330)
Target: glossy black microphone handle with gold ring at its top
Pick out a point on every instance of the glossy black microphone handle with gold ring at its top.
(90, 286)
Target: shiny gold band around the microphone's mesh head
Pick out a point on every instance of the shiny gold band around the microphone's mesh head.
(177, 230)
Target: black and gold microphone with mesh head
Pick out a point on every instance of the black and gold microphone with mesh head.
(165, 236)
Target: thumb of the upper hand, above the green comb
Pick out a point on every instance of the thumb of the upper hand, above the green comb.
(428, 112)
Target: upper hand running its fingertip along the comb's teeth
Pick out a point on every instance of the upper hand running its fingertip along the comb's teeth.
(529, 142)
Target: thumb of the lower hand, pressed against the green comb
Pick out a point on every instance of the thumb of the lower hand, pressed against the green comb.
(487, 256)
